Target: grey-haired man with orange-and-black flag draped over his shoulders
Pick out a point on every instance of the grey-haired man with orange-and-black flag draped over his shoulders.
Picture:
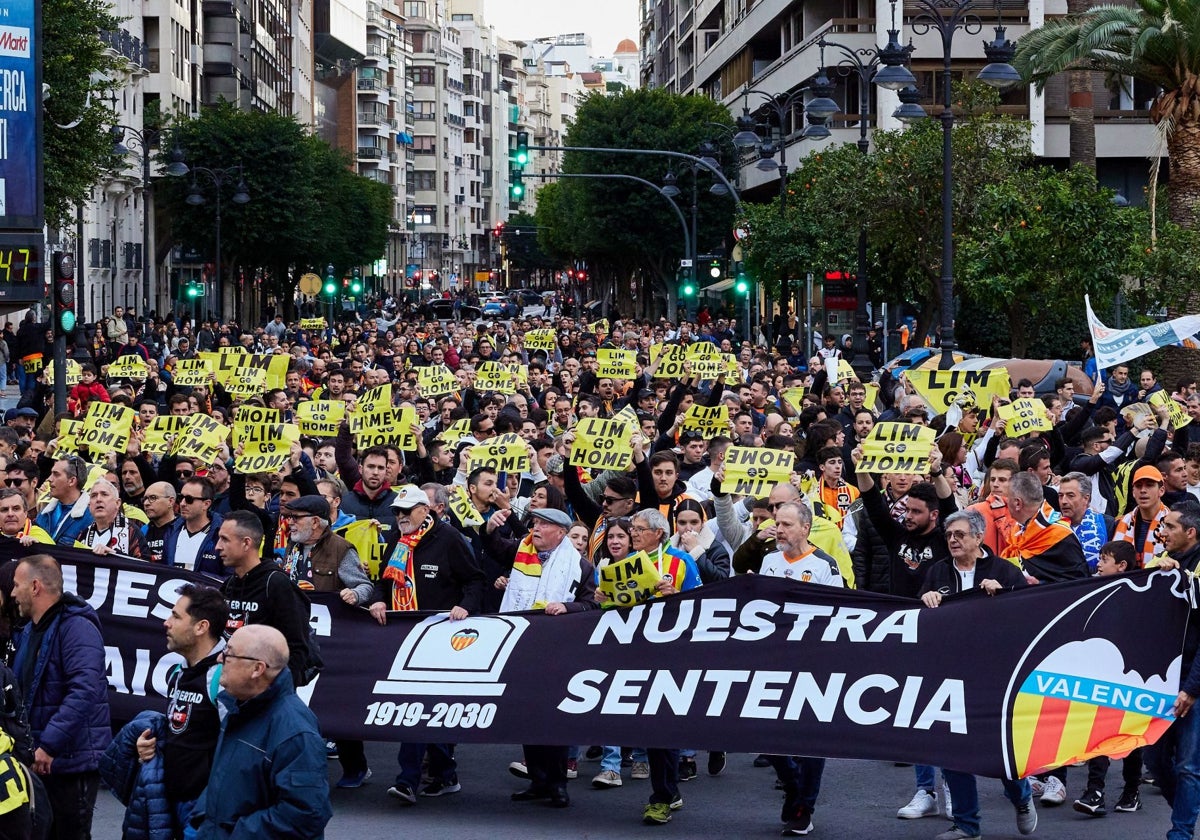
(1047, 549)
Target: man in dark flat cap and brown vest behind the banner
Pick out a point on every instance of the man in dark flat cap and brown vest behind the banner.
(319, 560)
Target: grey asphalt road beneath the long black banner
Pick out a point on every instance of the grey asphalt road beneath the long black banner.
(859, 800)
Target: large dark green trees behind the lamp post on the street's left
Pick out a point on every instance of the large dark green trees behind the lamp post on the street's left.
(308, 207)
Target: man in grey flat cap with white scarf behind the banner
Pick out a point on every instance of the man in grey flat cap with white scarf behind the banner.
(550, 575)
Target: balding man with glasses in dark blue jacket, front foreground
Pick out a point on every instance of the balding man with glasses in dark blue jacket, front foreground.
(269, 772)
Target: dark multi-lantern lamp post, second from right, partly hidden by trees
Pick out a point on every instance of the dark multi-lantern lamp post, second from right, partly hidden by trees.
(887, 68)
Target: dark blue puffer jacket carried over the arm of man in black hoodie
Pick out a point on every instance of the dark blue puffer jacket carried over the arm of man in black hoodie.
(141, 788)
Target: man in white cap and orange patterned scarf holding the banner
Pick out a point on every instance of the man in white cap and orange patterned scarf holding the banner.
(430, 567)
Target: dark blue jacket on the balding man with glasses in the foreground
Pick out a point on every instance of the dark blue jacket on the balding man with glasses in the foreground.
(269, 777)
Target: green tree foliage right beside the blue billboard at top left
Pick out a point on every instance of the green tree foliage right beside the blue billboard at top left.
(75, 67)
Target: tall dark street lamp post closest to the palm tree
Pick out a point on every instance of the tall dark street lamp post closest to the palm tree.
(946, 17)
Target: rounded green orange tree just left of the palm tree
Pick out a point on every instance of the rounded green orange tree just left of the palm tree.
(1042, 239)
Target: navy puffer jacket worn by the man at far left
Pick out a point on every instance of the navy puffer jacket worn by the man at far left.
(68, 697)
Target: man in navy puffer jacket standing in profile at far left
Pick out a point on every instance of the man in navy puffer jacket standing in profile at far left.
(61, 669)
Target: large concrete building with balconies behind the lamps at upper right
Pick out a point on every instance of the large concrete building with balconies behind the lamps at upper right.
(723, 49)
